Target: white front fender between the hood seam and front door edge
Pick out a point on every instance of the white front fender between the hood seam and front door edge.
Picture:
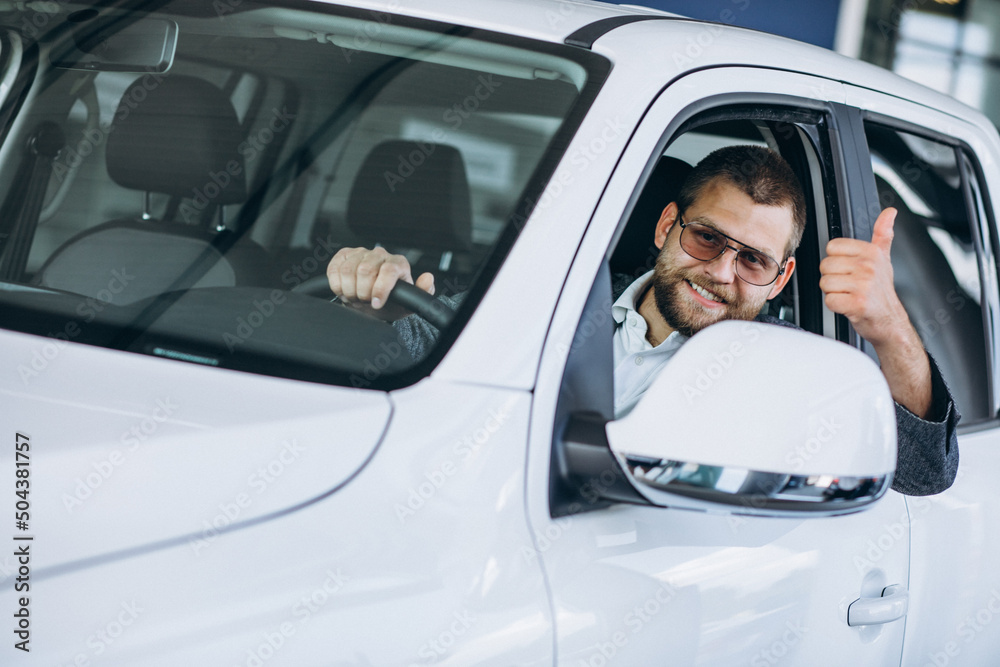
(312, 587)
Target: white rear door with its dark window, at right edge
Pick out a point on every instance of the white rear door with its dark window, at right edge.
(939, 171)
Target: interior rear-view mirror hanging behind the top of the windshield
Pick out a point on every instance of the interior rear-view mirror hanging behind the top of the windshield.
(108, 44)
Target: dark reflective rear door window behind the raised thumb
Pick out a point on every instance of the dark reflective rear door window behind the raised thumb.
(935, 257)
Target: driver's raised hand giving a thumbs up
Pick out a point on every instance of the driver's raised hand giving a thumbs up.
(856, 279)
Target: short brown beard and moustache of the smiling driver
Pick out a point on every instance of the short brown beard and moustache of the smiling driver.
(685, 315)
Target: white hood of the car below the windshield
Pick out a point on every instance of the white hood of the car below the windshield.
(147, 427)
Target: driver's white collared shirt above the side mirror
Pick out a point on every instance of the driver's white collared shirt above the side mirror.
(636, 361)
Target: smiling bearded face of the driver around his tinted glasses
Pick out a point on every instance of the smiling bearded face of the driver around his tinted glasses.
(691, 294)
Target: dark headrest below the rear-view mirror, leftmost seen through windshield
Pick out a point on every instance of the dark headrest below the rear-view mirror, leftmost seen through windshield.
(179, 136)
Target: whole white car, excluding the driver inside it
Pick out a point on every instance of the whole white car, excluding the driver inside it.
(206, 462)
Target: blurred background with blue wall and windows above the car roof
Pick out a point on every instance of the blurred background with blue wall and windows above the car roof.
(945, 44)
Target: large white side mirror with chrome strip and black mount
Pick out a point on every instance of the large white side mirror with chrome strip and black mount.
(747, 418)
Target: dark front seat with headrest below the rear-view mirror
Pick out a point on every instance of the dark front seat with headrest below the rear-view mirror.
(182, 140)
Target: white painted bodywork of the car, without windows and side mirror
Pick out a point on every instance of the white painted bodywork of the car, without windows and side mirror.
(414, 526)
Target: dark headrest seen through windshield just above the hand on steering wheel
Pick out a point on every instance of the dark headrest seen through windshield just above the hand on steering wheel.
(414, 195)
